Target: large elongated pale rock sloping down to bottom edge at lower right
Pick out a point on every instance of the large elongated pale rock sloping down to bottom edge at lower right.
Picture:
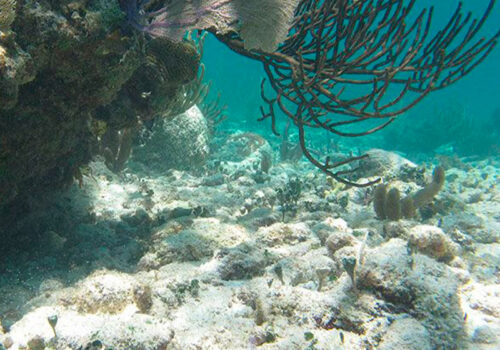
(418, 283)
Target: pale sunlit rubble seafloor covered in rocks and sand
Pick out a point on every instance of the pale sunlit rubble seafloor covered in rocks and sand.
(180, 260)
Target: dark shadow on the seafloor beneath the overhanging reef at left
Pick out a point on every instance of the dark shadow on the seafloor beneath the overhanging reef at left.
(58, 238)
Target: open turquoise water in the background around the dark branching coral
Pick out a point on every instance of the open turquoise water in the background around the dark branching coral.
(476, 96)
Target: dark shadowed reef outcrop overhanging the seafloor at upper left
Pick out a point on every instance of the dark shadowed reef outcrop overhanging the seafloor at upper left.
(78, 68)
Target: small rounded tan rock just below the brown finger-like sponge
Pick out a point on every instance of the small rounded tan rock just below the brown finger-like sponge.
(432, 241)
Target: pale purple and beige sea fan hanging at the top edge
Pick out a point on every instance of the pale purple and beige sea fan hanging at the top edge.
(261, 24)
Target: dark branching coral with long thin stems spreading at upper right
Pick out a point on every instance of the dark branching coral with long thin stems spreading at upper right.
(347, 62)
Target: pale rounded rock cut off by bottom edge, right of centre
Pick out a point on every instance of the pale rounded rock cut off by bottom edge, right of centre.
(407, 334)
